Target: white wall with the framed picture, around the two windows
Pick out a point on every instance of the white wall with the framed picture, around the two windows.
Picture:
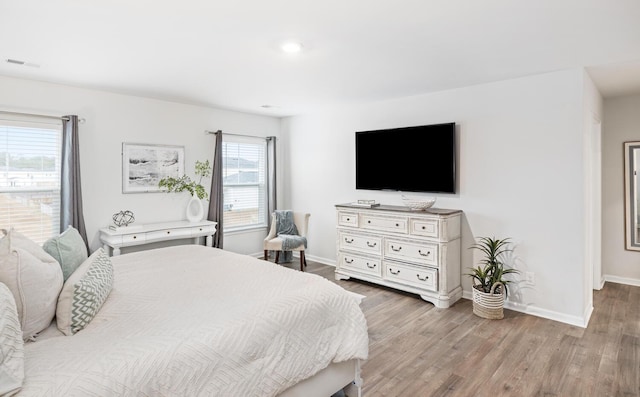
(112, 119)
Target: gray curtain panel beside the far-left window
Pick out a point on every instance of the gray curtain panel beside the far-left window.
(70, 190)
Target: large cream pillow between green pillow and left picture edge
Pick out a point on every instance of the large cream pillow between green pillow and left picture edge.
(33, 277)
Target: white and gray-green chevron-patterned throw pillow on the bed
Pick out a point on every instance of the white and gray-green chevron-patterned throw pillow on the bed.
(84, 293)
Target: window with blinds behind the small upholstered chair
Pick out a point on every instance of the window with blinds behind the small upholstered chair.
(244, 182)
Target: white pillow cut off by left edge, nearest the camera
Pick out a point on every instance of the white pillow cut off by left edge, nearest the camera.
(11, 345)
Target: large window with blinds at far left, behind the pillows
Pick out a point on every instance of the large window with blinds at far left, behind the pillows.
(30, 153)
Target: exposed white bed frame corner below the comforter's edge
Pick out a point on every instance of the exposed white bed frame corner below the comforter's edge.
(329, 381)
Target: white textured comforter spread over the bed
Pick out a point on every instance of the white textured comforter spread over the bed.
(198, 321)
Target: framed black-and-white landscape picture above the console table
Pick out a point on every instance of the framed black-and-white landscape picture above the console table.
(143, 165)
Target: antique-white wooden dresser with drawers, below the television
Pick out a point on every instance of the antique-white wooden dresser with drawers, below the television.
(413, 251)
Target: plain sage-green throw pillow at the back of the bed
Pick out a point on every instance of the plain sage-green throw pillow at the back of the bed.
(68, 249)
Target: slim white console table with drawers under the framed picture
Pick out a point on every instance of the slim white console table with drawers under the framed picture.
(144, 234)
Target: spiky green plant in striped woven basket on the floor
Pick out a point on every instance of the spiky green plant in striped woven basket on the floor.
(489, 285)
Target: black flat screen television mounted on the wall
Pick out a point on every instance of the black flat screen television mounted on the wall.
(410, 159)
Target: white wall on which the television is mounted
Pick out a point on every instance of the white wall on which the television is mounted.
(520, 175)
